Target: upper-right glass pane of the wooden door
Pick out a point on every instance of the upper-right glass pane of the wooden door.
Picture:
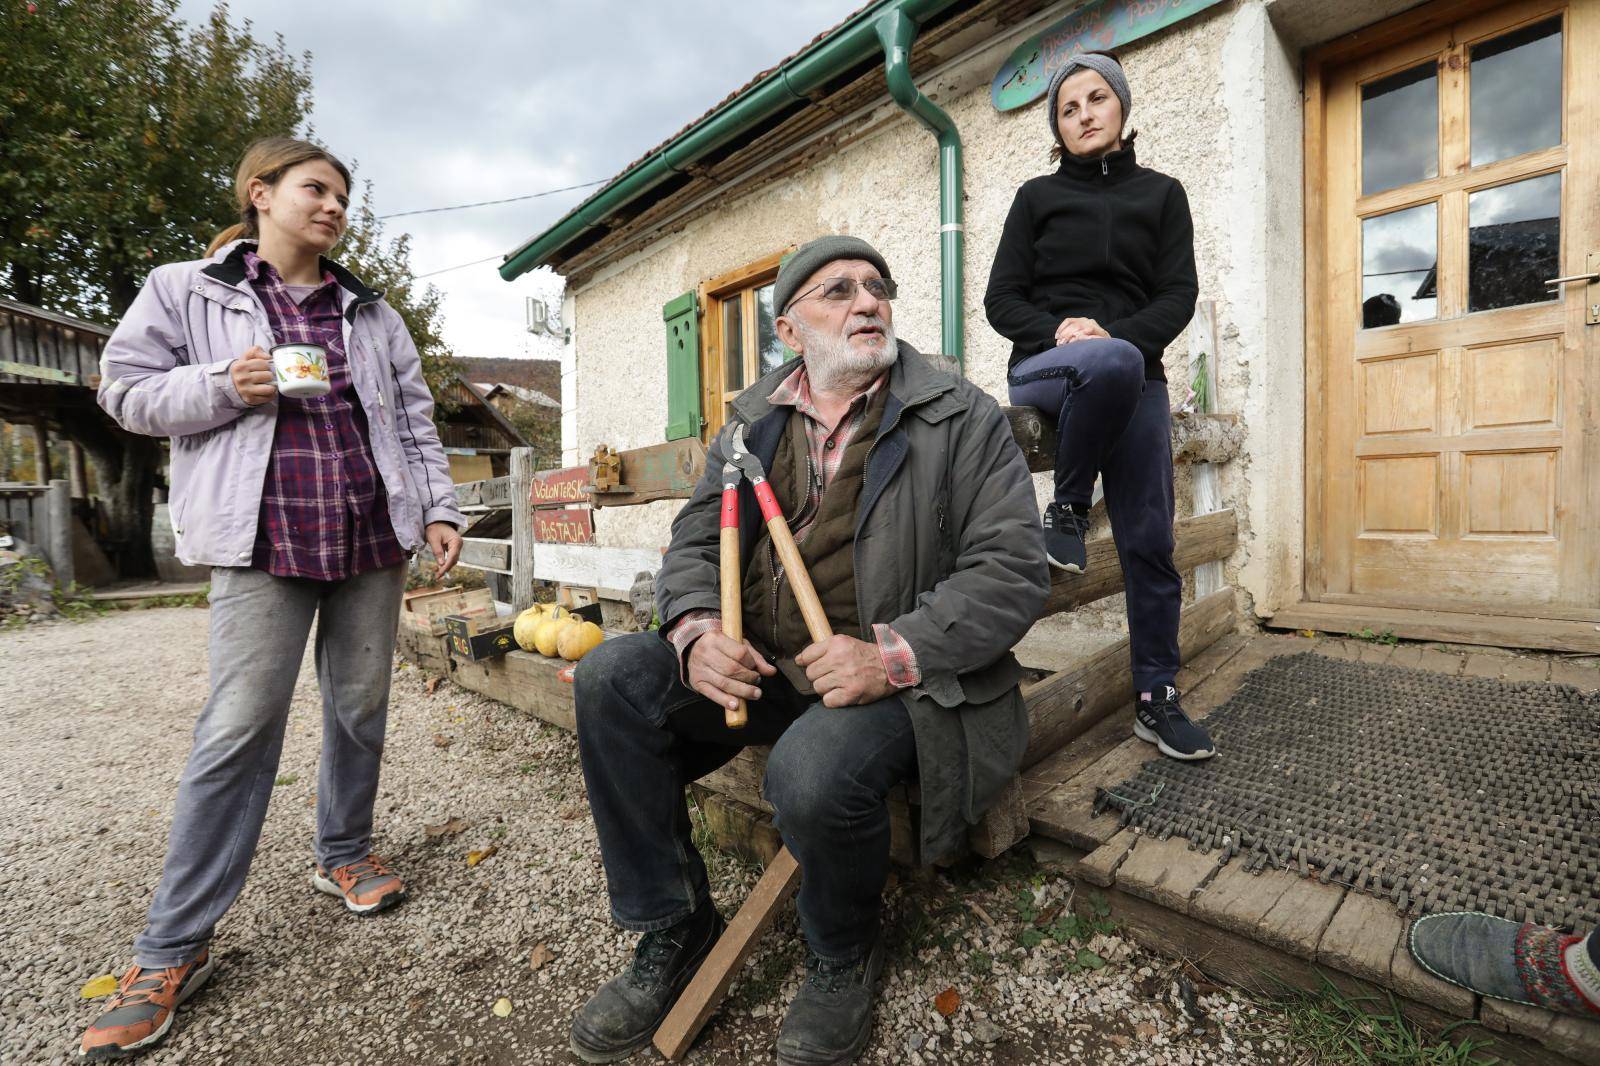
(1518, 94)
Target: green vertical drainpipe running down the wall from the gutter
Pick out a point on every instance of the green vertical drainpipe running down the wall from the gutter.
(897, 31)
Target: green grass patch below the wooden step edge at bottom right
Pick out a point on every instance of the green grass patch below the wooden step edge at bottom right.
(1337, 1030)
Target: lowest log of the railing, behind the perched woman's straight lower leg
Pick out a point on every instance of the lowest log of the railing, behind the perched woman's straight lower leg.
(1073, 700)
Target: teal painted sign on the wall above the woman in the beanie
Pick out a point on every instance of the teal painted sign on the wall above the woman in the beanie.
(1097, 26)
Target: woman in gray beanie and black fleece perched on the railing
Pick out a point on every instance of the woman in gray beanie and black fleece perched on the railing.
(1095, 276)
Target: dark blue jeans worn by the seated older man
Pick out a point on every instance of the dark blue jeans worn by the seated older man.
(642, 737)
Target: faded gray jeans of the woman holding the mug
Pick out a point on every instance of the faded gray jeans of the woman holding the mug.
(260, 627)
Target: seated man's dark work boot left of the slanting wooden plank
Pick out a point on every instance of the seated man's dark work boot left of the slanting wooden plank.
(626, 1012)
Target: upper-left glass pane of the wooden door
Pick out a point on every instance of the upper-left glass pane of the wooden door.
(1401, 129)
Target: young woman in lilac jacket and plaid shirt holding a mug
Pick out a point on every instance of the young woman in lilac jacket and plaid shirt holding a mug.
(308, 508)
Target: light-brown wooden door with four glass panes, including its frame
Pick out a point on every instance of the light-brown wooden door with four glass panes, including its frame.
(1452, 441)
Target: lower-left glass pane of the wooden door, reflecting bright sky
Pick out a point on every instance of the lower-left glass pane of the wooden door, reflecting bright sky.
(1401, 266)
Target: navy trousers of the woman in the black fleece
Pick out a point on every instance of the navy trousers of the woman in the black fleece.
(1114, 423)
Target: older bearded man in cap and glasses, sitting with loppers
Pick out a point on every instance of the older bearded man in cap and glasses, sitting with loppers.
(914, 513)
